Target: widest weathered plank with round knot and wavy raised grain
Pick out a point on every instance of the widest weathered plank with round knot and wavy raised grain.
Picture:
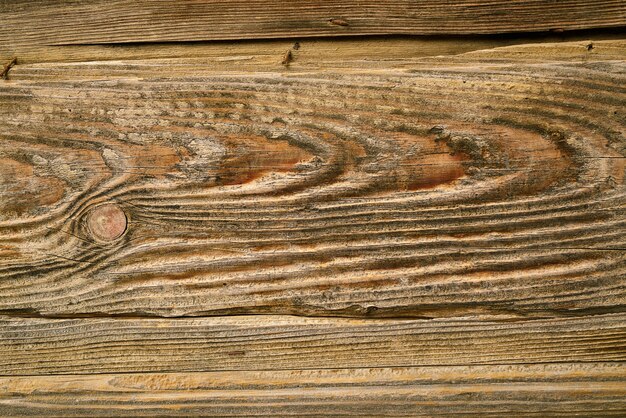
(455, 186)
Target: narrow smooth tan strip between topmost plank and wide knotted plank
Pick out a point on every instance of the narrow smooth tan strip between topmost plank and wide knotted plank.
(374, 52)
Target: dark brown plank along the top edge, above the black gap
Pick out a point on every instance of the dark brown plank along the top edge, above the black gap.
(72, 22)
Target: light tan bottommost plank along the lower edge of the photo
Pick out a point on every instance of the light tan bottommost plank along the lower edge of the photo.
(567, 389)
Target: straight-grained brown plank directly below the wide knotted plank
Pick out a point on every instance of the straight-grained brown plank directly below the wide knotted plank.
(32, 346)
